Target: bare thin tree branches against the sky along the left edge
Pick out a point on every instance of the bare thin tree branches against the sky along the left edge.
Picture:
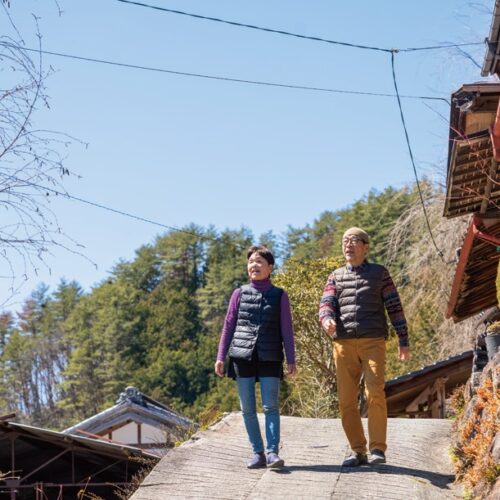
(31, 163)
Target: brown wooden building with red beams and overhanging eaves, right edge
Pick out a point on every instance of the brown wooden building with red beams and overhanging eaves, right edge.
(473, 190)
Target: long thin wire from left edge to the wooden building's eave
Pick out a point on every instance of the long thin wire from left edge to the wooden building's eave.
(223, 78)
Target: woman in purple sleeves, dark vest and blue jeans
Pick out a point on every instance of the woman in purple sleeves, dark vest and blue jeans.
(258, 325)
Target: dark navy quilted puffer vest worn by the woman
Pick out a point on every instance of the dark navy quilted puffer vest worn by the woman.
(258, 325)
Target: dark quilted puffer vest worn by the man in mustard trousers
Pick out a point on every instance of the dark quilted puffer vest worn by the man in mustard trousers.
(361, 310)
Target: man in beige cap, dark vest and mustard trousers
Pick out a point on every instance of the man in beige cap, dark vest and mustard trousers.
(352, 313)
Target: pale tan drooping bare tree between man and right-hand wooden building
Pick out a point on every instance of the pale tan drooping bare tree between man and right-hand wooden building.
(426, 278)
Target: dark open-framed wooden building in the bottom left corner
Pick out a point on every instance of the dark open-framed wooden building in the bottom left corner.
(38, 463)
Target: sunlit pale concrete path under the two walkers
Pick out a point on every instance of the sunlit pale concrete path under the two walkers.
(212, 464)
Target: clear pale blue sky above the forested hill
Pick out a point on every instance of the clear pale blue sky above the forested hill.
(179, 150)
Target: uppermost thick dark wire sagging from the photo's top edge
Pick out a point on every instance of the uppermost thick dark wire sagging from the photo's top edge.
(296, 35)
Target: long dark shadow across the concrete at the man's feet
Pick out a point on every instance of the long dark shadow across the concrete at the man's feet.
(437, 479)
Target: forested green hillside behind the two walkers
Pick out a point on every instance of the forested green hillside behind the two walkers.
(154, 322)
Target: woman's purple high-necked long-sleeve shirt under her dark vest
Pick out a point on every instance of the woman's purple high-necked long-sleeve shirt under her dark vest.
(232, 315)
